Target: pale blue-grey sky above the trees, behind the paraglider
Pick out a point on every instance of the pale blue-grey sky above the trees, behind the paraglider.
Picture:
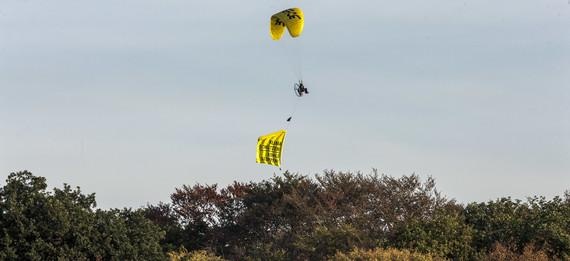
(131, 99)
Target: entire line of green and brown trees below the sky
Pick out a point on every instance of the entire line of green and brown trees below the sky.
(329, 216)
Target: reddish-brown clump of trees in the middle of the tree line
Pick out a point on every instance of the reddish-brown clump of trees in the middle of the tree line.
(296, 217)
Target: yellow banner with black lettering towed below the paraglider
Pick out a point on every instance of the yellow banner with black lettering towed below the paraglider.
(269, 148)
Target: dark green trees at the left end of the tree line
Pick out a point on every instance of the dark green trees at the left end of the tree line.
(38, 225)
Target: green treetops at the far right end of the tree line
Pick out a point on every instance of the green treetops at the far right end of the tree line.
(539, 222)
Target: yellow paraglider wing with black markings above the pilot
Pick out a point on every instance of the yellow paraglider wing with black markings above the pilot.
(291, 18)
